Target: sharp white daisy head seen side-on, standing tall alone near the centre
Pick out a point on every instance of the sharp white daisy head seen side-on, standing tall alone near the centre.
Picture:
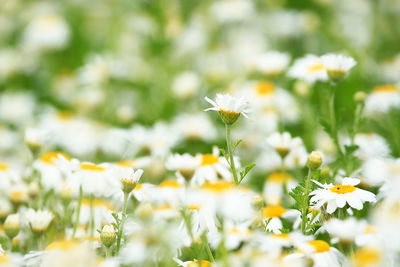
(229, 107)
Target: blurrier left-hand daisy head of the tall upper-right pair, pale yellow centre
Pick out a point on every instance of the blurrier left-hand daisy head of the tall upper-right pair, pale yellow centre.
(309, 68)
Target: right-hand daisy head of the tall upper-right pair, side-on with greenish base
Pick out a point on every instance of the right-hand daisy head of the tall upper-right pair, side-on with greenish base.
(337, 65)
